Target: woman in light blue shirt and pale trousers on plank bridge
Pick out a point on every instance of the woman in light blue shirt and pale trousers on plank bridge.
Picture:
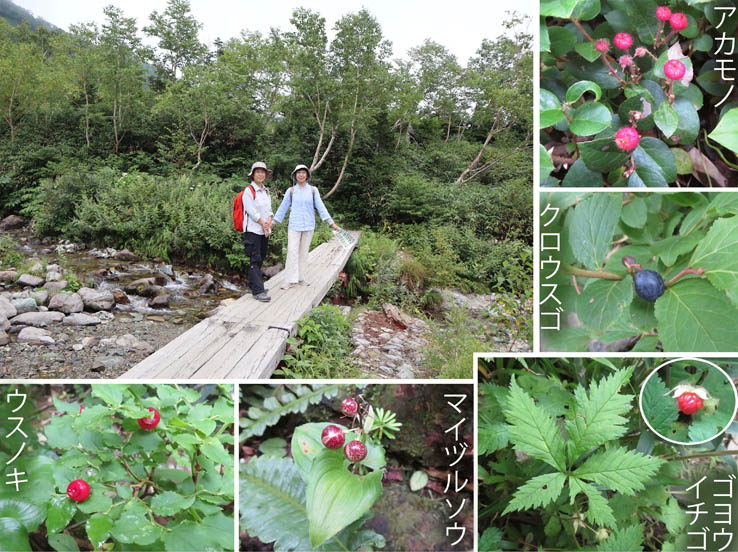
(301, 199)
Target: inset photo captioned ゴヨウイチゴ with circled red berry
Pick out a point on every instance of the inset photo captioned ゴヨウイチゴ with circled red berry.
(591, 453)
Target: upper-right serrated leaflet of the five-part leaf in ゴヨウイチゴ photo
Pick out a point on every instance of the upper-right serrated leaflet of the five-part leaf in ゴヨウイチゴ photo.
(598, 415)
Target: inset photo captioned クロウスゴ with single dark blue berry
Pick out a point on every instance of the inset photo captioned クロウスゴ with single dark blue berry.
(638, 271)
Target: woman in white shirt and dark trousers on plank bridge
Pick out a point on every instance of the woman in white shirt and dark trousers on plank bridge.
(257, 205)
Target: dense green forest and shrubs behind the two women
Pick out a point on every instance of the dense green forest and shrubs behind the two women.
(112, 143)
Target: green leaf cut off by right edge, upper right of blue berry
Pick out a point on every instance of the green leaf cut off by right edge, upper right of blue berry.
(718, 255)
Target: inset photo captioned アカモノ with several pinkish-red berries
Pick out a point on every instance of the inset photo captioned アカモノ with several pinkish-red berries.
(638, 93)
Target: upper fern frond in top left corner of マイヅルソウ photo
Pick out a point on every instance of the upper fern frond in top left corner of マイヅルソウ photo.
(269, 404)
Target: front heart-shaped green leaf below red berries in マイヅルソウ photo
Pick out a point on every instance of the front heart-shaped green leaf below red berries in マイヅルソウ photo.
(335, 497)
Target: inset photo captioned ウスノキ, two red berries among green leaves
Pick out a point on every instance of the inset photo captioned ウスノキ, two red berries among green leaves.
(117, 467)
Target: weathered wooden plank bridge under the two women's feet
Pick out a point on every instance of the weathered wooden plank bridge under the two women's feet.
(246, 339)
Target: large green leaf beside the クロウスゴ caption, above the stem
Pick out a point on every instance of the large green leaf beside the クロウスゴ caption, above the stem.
(592, 226)
